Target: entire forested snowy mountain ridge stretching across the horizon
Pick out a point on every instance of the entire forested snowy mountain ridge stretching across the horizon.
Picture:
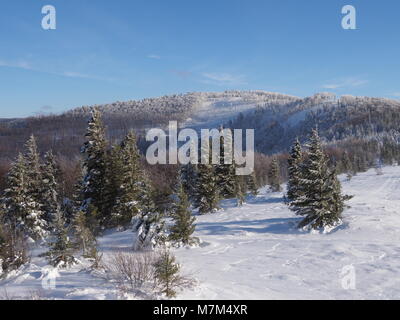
(276, 118)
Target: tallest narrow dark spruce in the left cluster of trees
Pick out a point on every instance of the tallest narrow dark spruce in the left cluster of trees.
(95, 164)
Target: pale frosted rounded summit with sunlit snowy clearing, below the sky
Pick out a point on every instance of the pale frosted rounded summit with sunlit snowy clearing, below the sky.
(197, 108)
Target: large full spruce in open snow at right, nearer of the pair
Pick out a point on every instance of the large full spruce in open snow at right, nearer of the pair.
(321, 201)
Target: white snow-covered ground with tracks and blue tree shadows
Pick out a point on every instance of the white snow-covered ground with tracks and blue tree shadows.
(255, 252)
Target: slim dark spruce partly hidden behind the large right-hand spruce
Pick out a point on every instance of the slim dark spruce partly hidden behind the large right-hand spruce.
(294, 172)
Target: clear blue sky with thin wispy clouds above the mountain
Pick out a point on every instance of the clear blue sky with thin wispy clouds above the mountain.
(104, 51)
